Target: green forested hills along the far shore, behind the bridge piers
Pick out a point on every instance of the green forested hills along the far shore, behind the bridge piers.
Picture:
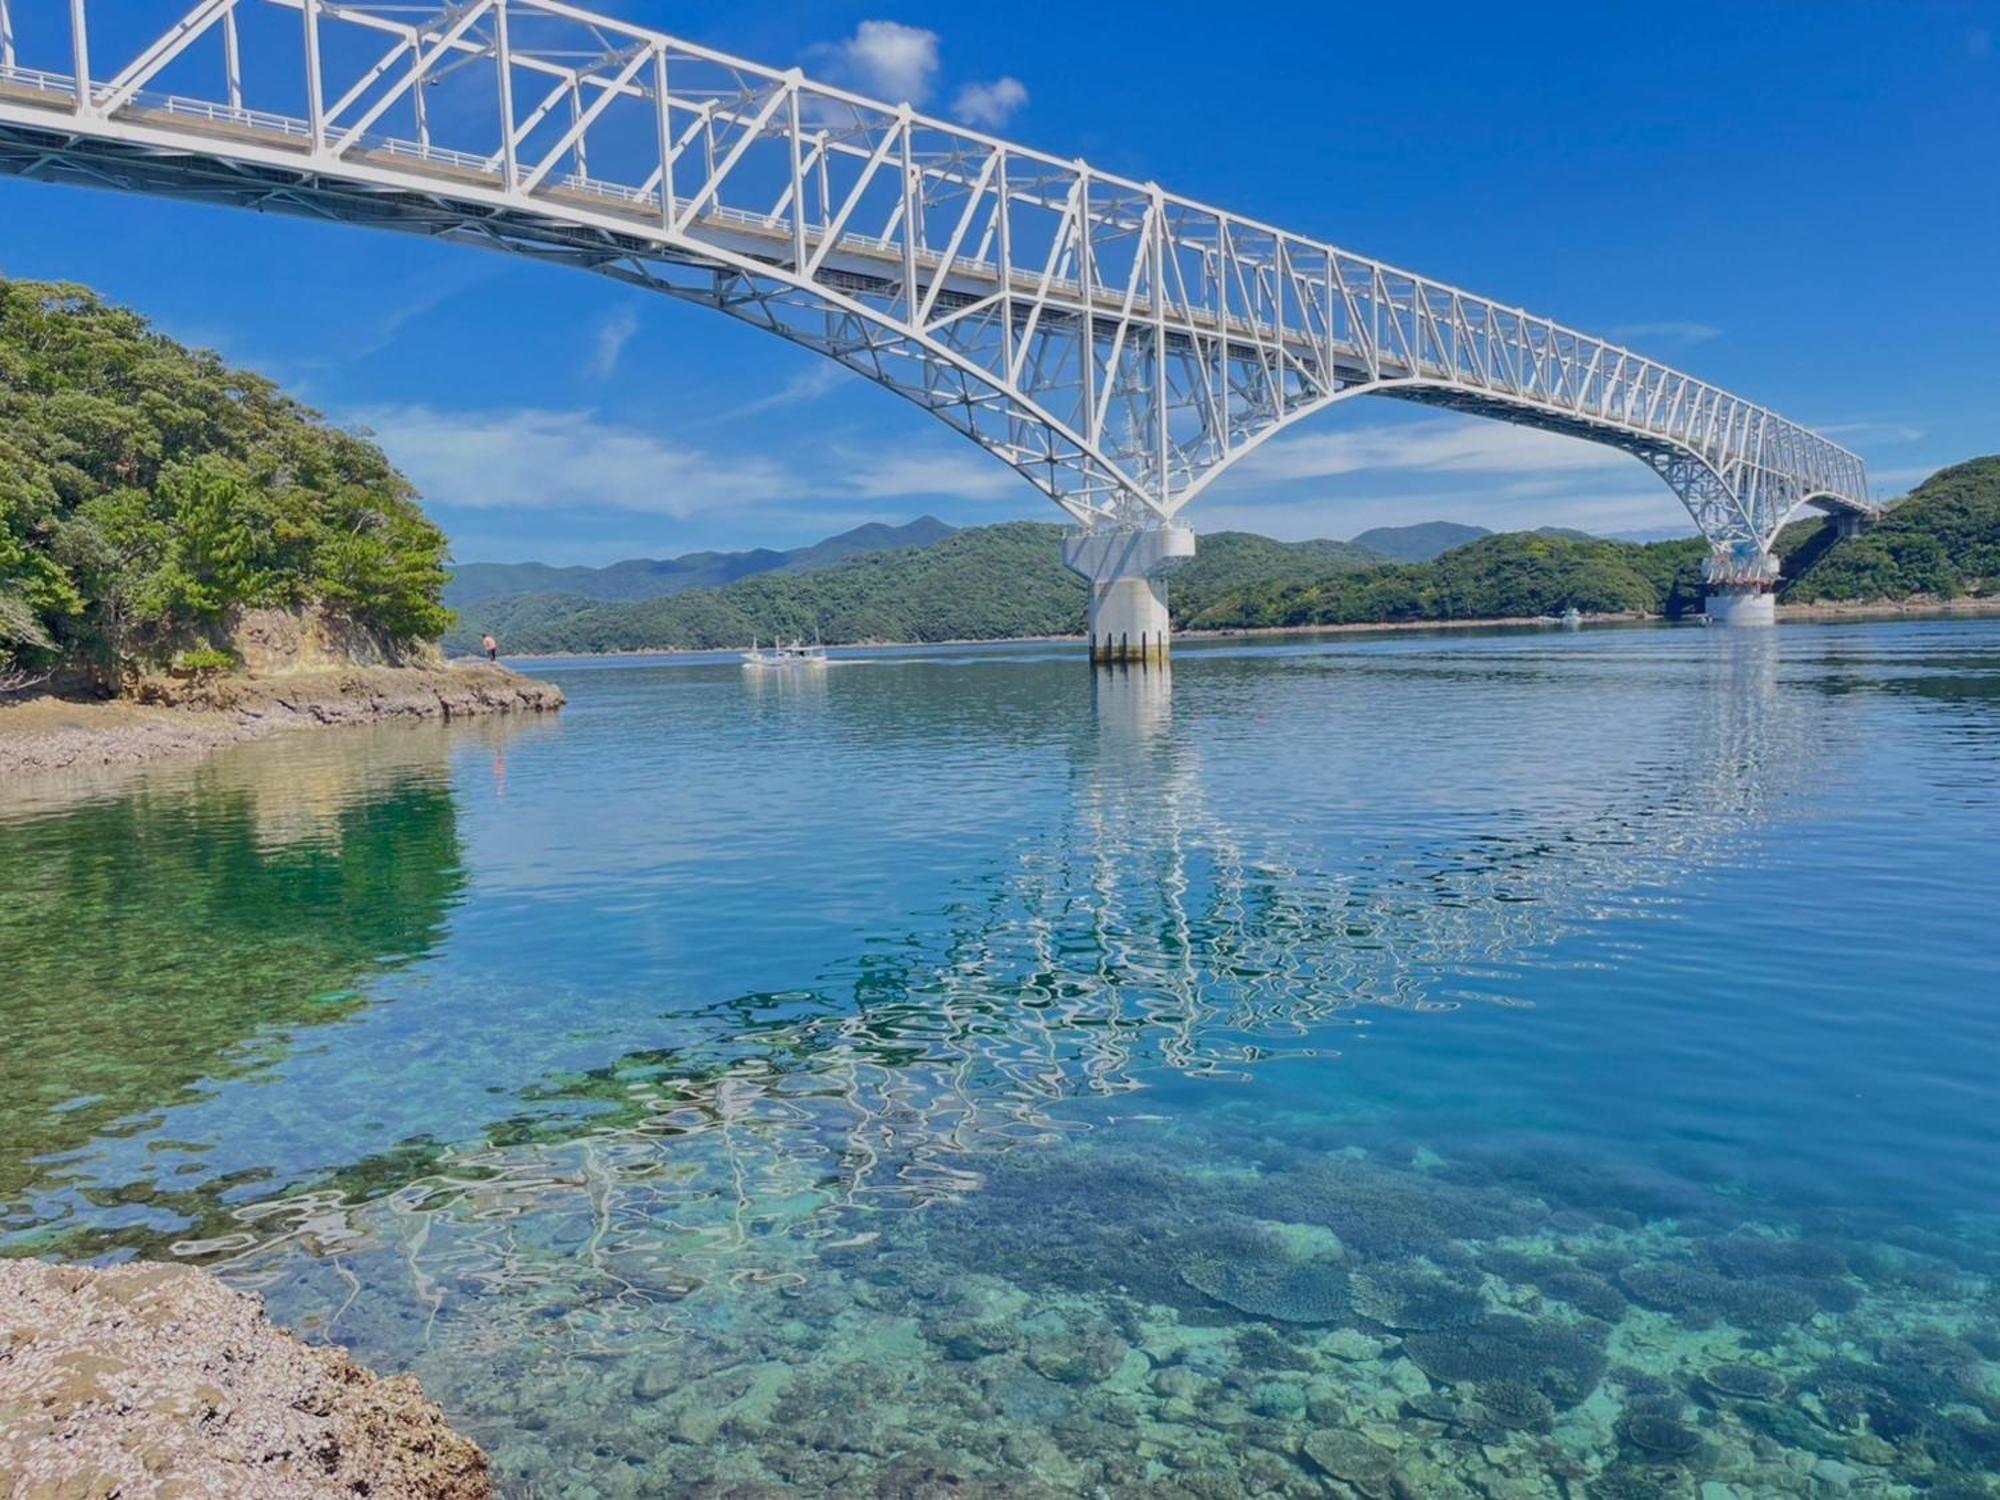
(1009, 581)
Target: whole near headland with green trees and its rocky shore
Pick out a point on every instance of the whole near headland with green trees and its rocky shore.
(191, 559)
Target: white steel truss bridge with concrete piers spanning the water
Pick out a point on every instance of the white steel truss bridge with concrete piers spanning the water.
(1117, 345)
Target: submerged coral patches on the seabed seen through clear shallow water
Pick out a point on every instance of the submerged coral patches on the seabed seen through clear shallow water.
(1335, 1323)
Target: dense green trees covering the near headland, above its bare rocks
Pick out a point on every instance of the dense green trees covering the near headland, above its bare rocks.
(149, 493)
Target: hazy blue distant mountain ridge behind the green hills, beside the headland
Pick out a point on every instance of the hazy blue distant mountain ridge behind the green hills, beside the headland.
(479, 583)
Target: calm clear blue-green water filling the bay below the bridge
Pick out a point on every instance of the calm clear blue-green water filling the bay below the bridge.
(1487, 1065)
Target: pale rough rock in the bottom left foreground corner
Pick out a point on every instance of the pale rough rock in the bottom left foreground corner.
(157, 1381)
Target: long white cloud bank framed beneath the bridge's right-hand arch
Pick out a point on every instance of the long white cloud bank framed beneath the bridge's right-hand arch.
(1441, 445)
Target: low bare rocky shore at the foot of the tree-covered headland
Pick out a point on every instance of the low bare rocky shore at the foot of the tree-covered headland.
(175, 719)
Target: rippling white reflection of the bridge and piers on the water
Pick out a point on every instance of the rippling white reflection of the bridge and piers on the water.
(1145, 941)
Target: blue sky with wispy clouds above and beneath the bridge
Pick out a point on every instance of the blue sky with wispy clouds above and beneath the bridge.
(1795, 201)
